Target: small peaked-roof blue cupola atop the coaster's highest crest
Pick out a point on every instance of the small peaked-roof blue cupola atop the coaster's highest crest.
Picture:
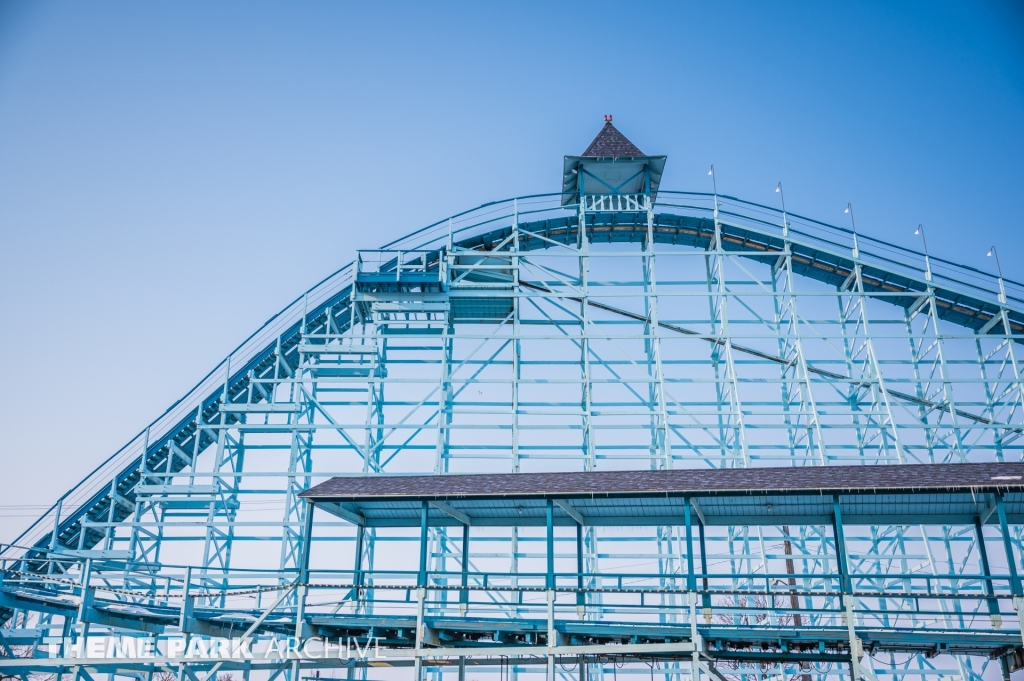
(611, 166)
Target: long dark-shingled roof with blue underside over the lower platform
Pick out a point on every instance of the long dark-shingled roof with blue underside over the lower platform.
(926, 494)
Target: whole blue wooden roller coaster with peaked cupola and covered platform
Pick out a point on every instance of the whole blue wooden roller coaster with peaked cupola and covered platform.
(615, 326)
